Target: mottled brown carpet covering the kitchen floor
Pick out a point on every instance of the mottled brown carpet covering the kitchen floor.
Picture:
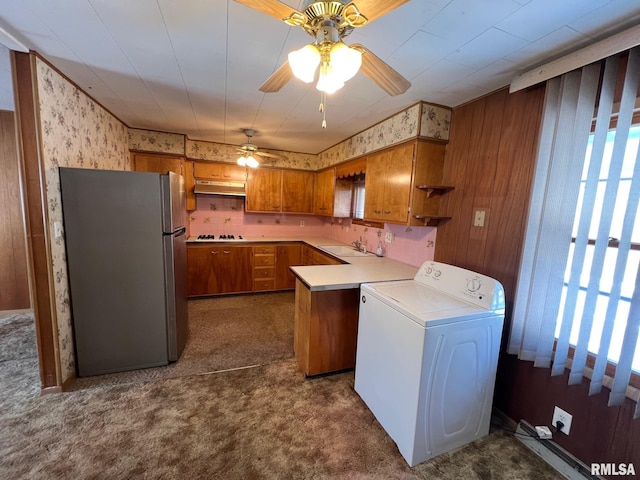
(204, 418)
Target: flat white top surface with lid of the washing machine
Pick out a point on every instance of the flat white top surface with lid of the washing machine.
(425, 305)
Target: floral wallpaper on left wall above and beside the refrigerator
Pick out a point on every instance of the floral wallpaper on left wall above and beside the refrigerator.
(75, 132)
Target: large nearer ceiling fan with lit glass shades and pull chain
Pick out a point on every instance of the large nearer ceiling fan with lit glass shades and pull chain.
(328, 22)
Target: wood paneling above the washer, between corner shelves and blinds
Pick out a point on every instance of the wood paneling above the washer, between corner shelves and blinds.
(490, 159)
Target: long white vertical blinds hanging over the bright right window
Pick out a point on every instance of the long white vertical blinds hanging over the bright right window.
(561, 299)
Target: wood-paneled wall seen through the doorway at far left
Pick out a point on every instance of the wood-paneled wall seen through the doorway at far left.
(14, 283)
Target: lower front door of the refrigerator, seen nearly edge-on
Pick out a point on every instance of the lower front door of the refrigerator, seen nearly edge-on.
(176, 293)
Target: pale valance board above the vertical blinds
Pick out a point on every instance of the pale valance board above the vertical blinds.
(593, 53)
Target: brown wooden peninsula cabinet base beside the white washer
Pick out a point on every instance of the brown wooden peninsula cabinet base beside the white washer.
(325, 329)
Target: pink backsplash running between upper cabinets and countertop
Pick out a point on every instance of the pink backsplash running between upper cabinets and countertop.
(220, 215)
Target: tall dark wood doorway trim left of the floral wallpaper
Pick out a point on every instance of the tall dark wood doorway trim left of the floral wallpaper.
(35, 204)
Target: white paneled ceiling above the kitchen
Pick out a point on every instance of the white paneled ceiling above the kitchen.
(194, 66)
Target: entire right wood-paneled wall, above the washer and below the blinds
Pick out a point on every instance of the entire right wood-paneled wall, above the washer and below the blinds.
(490, 160)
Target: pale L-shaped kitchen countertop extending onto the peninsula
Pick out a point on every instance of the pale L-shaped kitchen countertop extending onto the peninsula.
(357, 270)
